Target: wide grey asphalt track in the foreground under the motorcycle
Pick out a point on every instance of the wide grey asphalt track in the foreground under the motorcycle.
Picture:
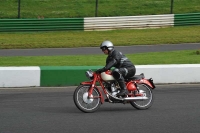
(176, 109)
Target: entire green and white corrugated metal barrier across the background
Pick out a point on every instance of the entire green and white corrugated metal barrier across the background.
(99, 23)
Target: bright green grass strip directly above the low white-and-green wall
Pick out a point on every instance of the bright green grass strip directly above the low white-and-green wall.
(175, 57)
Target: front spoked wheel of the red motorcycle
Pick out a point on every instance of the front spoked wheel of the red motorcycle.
(84, 103)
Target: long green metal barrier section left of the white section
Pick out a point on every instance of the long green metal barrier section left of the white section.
(12, 25)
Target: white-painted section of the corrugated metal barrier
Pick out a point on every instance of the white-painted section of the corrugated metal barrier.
(128, 22)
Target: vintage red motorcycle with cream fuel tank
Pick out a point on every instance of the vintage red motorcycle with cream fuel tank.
(88, 96)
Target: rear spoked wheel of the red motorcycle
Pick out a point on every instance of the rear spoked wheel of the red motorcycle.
(147, 92)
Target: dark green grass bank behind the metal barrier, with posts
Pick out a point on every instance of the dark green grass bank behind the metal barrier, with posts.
(86, 8)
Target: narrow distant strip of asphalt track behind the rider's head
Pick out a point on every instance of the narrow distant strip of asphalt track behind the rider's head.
(96, 50)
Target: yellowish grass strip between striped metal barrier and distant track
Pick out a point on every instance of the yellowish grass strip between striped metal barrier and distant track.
(69, 39)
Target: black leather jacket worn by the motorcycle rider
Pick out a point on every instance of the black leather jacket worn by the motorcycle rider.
(118, 60)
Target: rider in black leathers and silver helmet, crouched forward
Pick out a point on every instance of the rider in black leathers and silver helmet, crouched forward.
(123, 67)
